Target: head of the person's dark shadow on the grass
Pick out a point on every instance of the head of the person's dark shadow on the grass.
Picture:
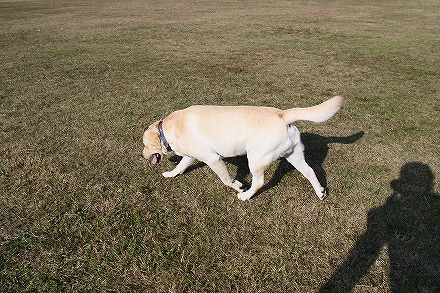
(415, 179)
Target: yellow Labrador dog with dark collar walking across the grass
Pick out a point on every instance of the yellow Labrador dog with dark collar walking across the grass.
(210, 133)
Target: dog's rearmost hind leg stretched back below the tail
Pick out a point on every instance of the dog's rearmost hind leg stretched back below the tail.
(298, 161)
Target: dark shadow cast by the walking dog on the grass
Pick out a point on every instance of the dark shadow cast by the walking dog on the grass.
(315, 150)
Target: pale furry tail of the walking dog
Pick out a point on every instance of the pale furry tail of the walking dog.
(318, 113)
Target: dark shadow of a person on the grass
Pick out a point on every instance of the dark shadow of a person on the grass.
(409, 225)
